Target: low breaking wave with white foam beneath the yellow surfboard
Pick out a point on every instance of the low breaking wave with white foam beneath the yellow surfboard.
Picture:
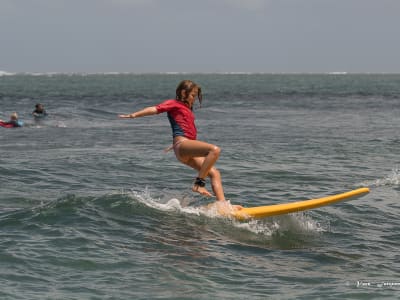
(138, 209)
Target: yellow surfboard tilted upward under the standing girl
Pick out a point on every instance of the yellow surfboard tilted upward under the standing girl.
(260, 212)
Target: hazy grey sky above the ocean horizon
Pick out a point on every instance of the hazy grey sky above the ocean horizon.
(205, 36)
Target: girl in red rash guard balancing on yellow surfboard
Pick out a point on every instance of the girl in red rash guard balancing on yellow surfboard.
(199, 155)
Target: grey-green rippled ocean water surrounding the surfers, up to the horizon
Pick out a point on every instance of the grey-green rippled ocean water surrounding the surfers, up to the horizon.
(91, 207)
